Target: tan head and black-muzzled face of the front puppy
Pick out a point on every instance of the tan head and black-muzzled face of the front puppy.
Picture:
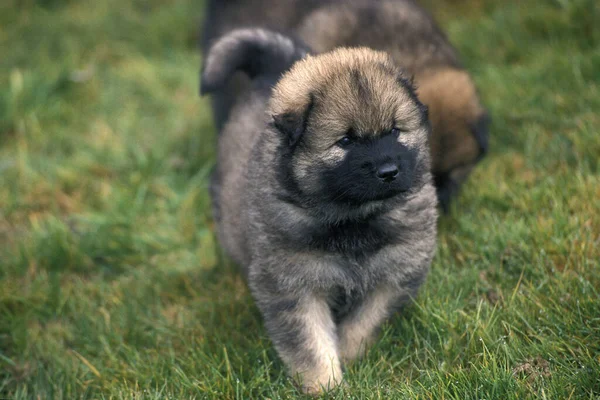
(355, 131)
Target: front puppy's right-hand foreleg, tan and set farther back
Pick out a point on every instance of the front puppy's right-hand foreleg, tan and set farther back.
(357, 331)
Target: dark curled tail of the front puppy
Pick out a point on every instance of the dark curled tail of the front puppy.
(255, 51)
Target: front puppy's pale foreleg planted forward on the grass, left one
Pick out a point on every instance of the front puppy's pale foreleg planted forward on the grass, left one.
(304, 334)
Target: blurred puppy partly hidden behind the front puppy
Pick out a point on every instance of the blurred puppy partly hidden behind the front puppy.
(399, 27)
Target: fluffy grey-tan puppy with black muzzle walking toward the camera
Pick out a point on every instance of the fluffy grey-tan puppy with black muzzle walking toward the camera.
(322, 193)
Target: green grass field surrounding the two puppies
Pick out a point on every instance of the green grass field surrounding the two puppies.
(112, 285)
